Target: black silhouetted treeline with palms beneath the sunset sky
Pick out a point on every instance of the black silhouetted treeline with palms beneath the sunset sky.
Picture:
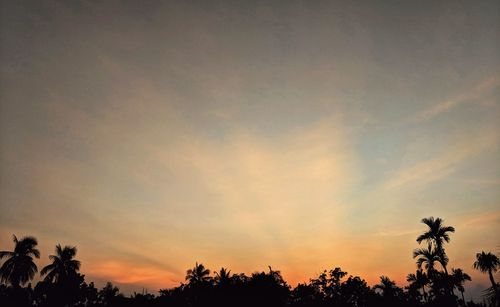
(431, 285)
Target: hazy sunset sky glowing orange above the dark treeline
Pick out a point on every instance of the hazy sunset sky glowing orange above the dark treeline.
(303, 135)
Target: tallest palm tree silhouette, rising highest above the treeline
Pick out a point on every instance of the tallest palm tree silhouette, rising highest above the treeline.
(436, 236)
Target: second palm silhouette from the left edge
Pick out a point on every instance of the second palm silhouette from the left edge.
(62, 266)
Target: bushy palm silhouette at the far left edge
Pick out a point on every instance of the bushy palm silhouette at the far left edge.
(19, 268)
